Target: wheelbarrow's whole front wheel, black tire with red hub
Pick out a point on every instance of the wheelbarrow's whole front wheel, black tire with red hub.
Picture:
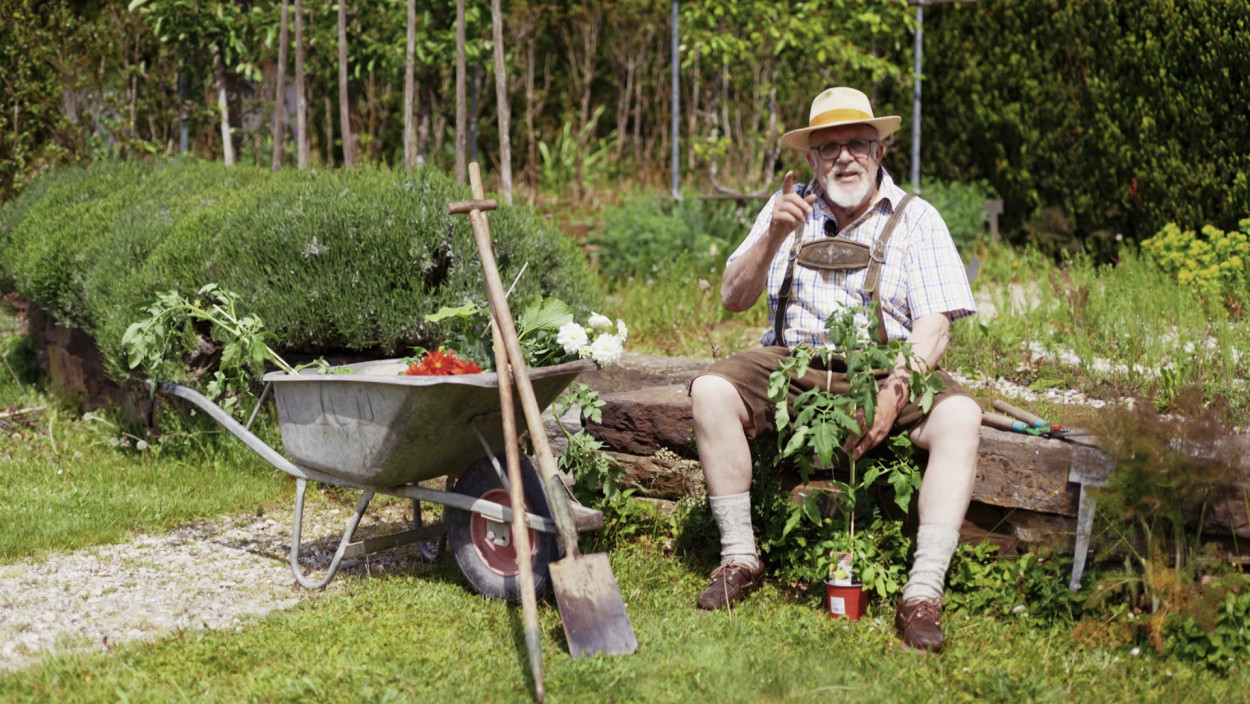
(484, 550)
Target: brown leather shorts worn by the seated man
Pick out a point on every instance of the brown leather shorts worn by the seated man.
(749, 373)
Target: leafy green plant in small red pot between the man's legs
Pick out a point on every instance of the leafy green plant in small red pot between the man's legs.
(814, 427)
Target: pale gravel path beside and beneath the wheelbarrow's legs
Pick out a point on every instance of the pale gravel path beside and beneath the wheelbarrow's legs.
(212, 575)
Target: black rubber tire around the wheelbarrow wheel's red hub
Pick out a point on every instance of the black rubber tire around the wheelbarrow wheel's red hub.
(478, 482)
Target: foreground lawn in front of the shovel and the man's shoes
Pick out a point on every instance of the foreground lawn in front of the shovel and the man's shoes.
(422, 636)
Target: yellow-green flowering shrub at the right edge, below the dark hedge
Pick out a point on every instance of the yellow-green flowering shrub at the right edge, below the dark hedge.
(1216, 263)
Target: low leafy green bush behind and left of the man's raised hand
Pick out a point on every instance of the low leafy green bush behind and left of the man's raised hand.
(647, 234)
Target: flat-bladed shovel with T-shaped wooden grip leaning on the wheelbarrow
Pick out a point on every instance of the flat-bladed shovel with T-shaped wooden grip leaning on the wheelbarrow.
(586, 590)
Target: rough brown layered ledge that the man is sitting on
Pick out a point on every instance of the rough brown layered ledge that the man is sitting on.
(1029, 490)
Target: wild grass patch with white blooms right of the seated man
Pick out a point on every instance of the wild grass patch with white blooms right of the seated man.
(1111, 332)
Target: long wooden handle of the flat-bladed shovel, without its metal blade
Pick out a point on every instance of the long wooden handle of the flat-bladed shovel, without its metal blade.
(503, 317)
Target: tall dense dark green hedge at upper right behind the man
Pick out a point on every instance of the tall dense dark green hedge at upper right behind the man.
(1124, 116)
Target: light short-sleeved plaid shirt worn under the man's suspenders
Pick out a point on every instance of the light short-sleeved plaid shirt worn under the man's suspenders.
(923, 272)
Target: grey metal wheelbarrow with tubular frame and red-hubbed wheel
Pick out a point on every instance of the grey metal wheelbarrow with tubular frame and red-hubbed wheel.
(368, 427)
